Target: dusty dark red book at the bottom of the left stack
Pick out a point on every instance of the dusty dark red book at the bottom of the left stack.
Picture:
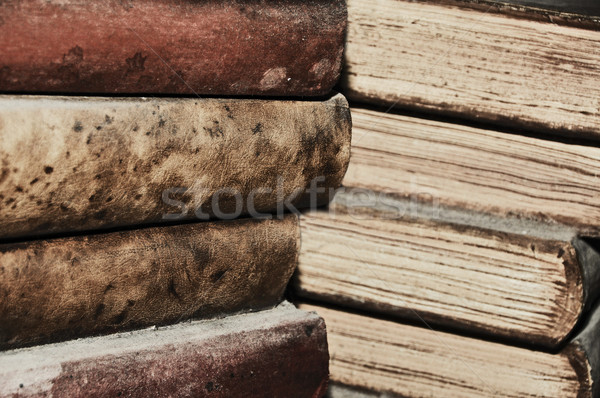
(276, 353)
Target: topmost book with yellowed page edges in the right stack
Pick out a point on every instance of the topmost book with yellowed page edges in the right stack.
(478, 63)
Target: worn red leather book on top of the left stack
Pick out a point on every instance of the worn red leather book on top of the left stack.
(289, 47)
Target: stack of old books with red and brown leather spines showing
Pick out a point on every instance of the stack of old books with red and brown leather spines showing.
(101, 196)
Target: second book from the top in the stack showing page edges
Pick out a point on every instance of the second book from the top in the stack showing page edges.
(477, 169)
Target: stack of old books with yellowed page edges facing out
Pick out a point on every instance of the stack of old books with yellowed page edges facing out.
(462, 258)
